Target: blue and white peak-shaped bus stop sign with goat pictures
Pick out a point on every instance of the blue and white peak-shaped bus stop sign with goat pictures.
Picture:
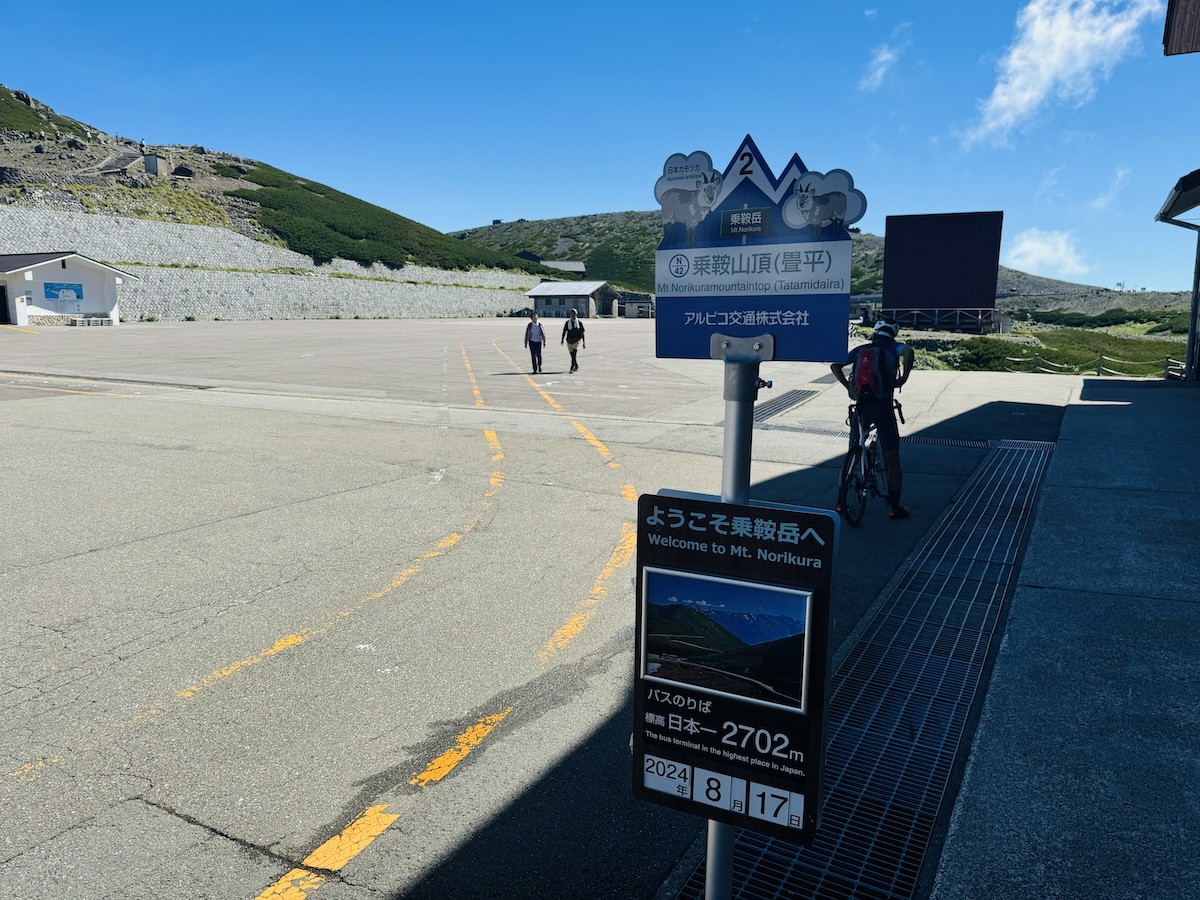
(745, 254)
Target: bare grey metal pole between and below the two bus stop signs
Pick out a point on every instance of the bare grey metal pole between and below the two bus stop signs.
(742, 357)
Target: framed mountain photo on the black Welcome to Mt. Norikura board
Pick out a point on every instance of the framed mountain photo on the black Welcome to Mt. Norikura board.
(727, 637)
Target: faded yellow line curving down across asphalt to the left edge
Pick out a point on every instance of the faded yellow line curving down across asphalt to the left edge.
(33, 771)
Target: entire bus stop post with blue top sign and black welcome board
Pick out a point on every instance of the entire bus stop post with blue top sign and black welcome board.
(733, 623)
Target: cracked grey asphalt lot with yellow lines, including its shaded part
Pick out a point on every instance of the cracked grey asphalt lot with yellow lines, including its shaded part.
(260, 580)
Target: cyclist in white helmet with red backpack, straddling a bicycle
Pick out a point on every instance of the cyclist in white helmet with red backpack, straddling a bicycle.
(879, 368)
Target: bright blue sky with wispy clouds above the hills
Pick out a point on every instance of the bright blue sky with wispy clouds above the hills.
(1063, 113)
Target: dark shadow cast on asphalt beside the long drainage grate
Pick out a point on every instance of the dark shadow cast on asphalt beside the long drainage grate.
(580, 833)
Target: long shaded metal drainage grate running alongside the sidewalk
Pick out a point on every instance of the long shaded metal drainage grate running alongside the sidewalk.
(902, 698)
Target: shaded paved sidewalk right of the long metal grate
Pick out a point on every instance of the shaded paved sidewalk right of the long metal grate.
(1084, 779)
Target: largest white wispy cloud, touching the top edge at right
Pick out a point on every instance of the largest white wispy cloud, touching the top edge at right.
(1063, 47)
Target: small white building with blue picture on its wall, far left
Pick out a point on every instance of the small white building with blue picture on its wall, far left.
(57, 290)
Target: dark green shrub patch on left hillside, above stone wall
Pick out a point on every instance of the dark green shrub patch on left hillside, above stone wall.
(326, 225)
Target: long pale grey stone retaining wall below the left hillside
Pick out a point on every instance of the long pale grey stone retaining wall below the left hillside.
(158, 253)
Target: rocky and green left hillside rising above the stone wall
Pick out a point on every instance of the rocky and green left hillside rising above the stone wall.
(51, 161)
